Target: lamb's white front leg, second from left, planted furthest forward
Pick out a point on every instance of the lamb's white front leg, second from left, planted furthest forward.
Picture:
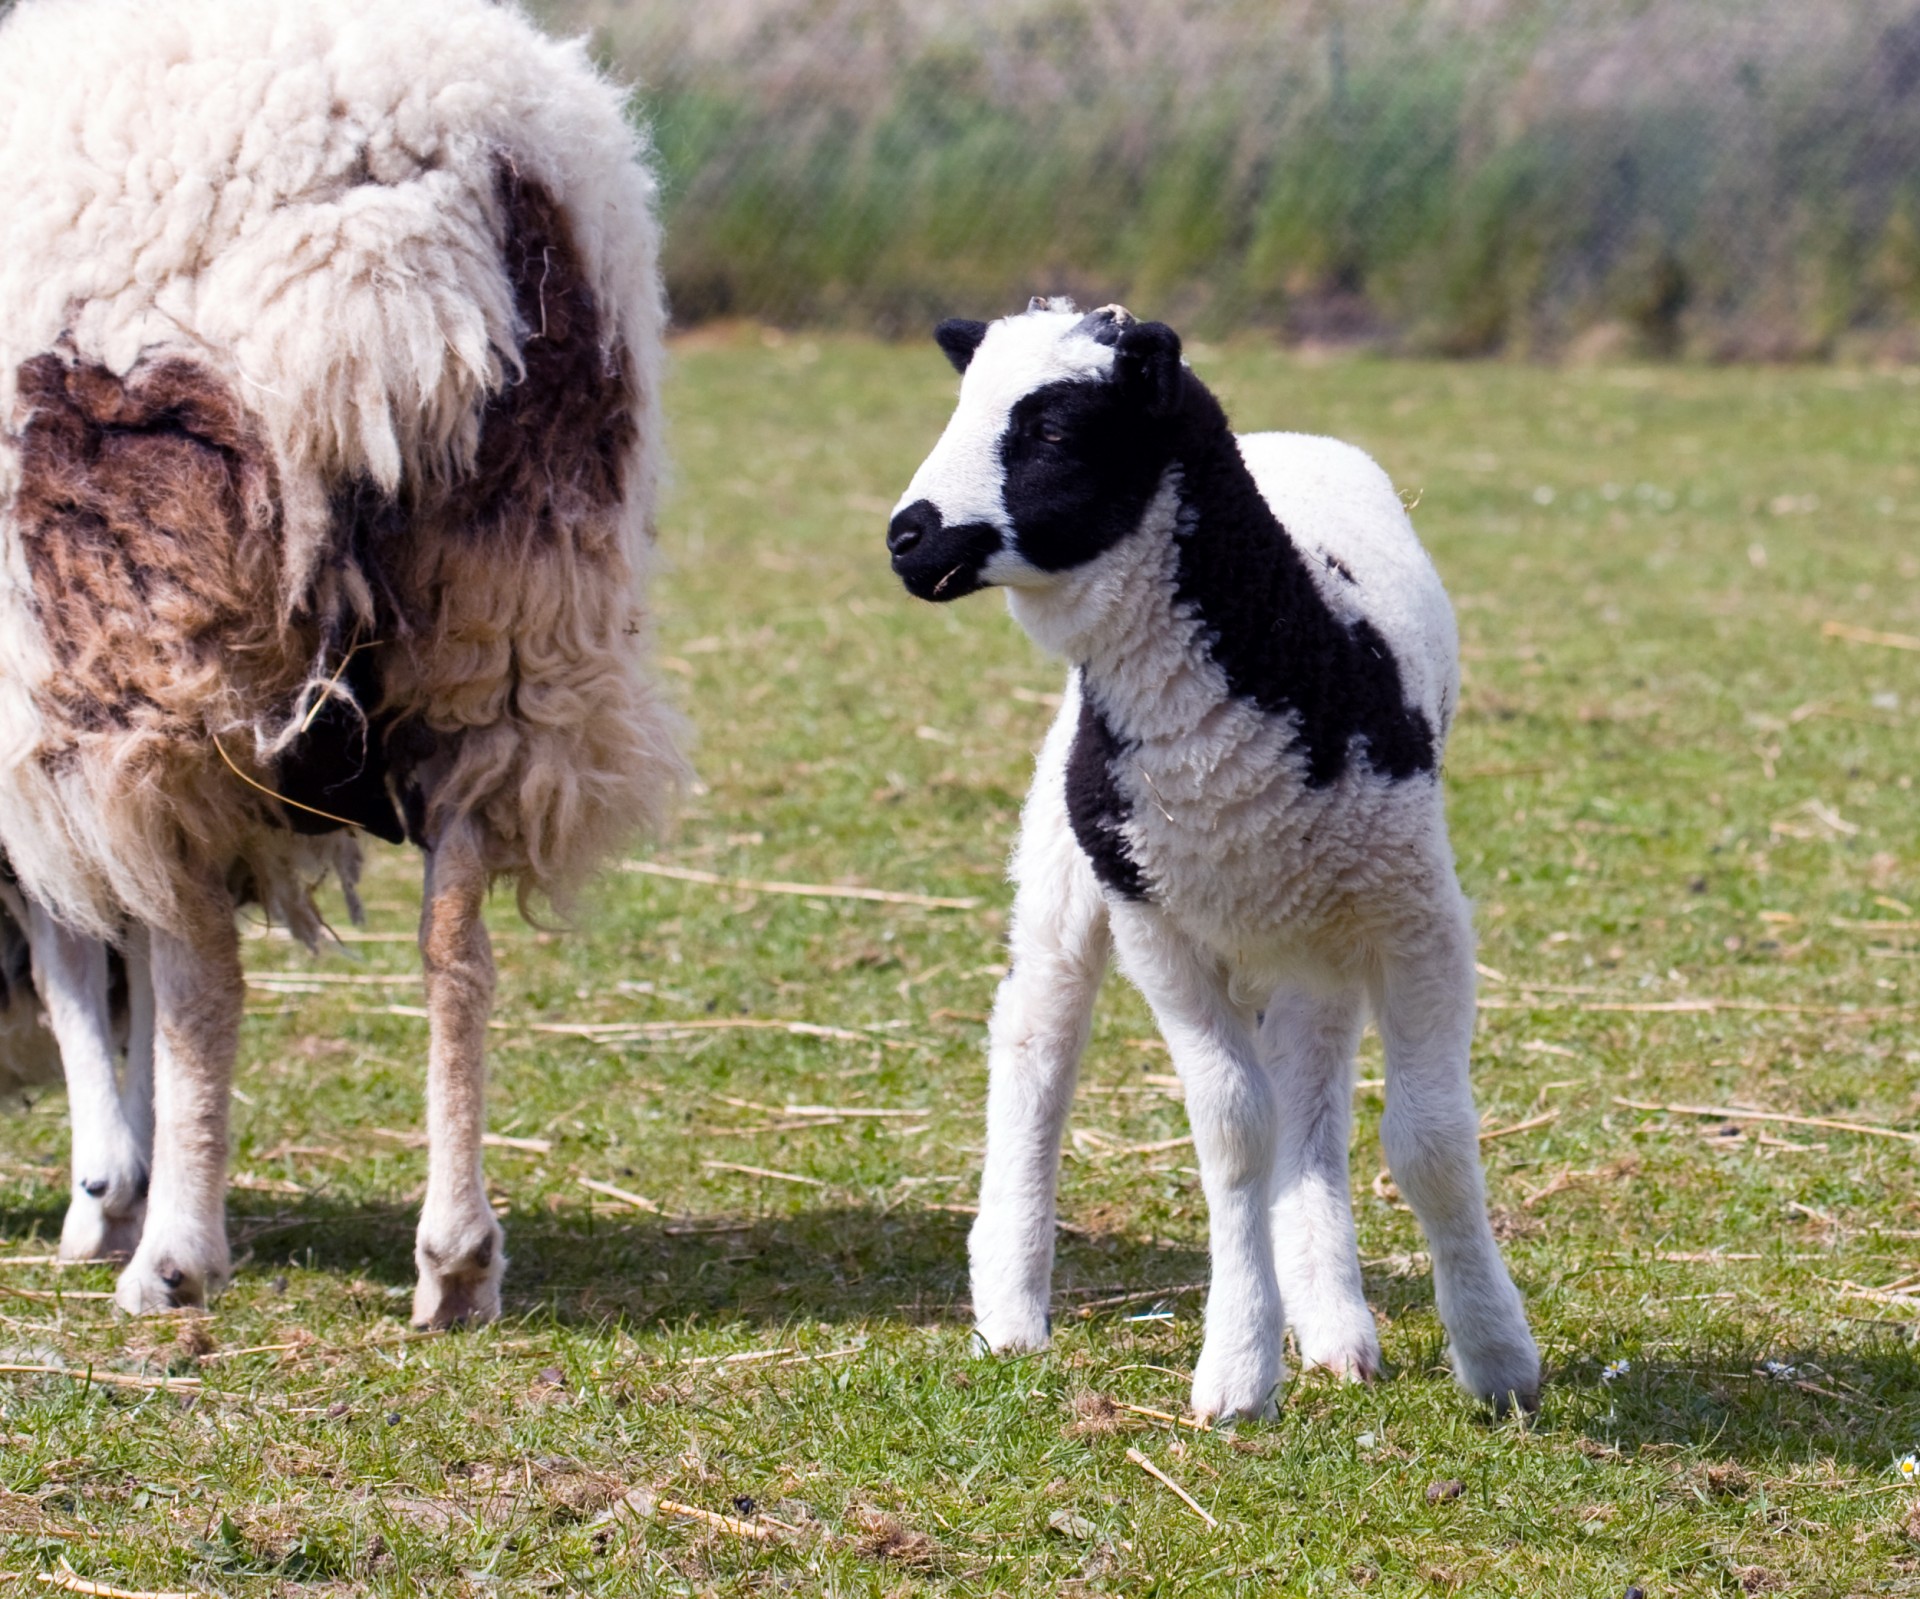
(1232, 1109)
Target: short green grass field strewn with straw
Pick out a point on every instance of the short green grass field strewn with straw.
(1691, 826)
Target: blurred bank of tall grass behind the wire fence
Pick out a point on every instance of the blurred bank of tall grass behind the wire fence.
(1712, 178)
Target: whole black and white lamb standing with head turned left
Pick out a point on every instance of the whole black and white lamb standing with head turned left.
(1241, 799)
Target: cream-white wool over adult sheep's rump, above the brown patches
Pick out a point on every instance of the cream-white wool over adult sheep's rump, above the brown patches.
(306, 189)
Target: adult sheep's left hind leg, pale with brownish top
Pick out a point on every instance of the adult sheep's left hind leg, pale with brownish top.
(197, 997)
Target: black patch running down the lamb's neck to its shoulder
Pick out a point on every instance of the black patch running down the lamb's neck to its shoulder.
(1266, 625)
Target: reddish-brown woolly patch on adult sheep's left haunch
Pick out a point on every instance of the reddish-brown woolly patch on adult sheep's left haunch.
(149, 513)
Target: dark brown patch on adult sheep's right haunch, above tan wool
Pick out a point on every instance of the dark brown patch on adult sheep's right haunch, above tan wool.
(554, 444)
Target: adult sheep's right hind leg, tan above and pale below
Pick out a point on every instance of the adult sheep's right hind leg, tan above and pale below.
(460, 1249)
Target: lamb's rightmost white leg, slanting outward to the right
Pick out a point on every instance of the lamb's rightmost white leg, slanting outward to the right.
(1433, 1149)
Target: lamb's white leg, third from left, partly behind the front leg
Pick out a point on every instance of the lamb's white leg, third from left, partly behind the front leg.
(1308, 1041)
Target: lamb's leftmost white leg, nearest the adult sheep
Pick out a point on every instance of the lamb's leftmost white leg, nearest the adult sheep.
(1042, 1016)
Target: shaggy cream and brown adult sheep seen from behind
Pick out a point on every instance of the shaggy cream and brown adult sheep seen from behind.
(329, 356)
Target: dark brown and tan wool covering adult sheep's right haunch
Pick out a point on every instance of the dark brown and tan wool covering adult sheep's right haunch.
(504, 598)
